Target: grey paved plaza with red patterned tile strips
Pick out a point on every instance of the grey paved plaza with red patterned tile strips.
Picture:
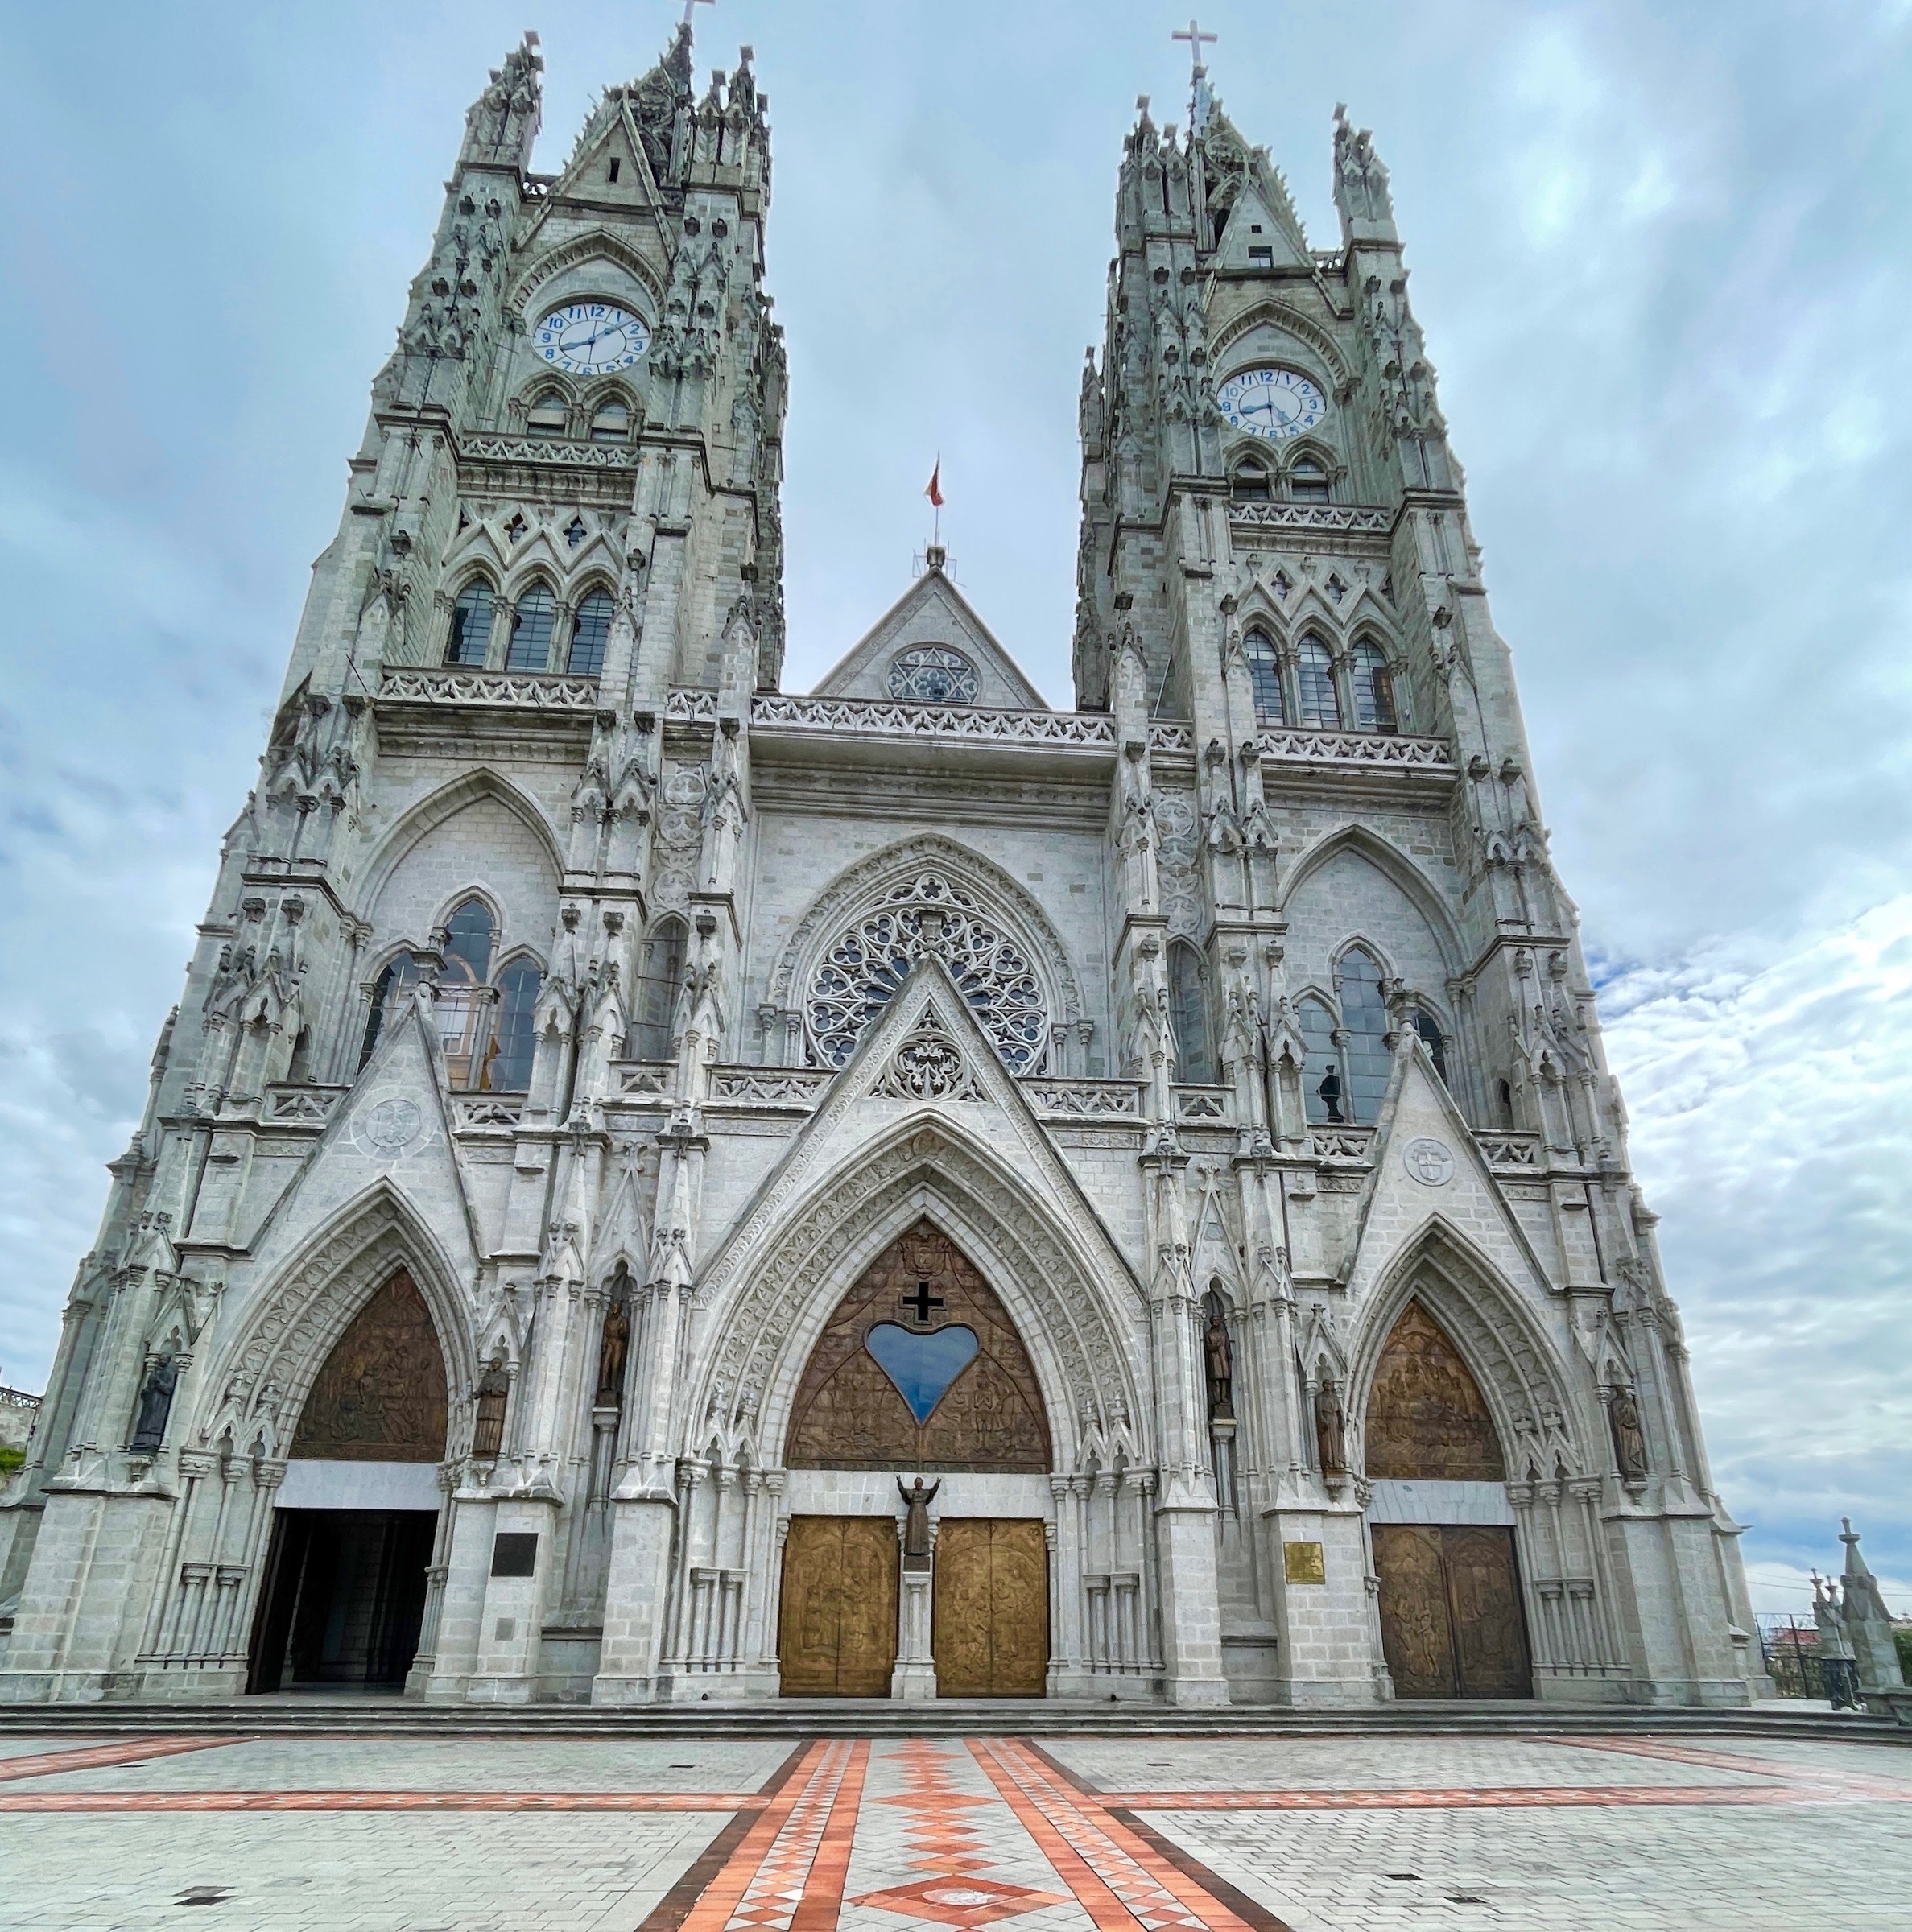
(1318, 1834)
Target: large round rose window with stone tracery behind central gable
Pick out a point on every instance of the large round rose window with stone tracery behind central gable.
(864, 971)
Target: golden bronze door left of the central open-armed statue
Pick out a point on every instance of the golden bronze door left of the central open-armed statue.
(839, 1618)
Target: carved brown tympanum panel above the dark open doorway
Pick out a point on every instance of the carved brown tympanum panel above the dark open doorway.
(381, 1392)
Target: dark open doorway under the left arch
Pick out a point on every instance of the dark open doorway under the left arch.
(343, 1601)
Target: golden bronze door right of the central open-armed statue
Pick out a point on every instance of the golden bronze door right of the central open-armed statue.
(992, 1608)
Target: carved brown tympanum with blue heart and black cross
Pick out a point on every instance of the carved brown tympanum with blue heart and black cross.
(920, 1369)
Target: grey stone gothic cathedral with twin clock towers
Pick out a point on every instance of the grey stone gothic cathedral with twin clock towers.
(629, 1125)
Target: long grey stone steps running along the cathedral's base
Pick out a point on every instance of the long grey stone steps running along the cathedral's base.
(293, 1715)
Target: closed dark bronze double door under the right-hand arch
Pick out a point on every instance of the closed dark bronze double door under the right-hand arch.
(1451, 1622)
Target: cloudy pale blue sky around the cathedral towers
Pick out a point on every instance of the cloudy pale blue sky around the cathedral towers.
(1664, 262)
